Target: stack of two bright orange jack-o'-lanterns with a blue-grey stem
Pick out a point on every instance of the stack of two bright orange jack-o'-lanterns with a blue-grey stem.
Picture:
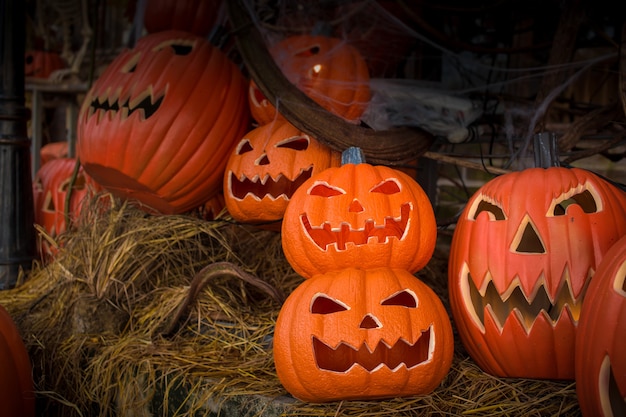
(361, 325)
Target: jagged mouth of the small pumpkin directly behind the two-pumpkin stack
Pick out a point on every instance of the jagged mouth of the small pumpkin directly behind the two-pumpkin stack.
(275, 188)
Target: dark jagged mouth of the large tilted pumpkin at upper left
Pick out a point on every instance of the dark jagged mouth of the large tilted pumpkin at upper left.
(145, 103)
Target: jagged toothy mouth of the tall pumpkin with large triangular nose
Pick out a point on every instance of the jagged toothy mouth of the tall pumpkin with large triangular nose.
(514, 301)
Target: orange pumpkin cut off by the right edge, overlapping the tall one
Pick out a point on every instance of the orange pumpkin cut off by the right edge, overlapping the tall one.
(600, 358)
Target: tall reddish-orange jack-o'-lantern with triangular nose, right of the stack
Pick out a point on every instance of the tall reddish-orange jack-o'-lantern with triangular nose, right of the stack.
(522, 254)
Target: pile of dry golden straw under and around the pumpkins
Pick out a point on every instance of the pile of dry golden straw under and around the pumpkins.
(142, 315)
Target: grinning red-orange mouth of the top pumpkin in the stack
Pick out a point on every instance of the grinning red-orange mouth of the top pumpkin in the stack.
(340, 237)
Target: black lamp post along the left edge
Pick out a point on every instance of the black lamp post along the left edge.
(17, 233)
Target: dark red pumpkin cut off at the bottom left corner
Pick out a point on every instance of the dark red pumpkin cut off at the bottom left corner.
(17, 396)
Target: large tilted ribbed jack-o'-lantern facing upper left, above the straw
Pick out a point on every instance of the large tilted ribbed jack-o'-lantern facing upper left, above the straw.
(159, 123)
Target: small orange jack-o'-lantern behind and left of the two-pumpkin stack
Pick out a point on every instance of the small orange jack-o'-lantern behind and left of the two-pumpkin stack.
(267, 166)
